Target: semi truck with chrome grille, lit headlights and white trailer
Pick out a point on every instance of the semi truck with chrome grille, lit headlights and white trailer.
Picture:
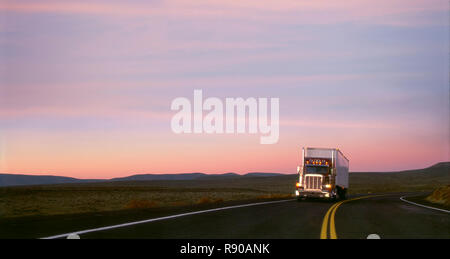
(323, 173)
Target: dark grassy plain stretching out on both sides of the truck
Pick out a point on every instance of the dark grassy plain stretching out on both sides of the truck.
(62, 199)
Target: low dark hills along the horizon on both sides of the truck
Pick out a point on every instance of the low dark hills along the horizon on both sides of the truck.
(436, 174)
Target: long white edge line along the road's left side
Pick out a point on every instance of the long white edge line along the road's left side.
(161, 218)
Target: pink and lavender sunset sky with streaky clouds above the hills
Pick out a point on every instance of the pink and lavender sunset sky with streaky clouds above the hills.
(86, 86)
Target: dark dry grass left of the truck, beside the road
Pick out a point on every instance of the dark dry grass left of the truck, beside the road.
(98, 197)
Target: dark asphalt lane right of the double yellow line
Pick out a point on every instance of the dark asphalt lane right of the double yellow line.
(390, 217)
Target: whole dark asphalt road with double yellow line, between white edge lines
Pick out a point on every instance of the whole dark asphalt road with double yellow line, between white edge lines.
(387, 216)
